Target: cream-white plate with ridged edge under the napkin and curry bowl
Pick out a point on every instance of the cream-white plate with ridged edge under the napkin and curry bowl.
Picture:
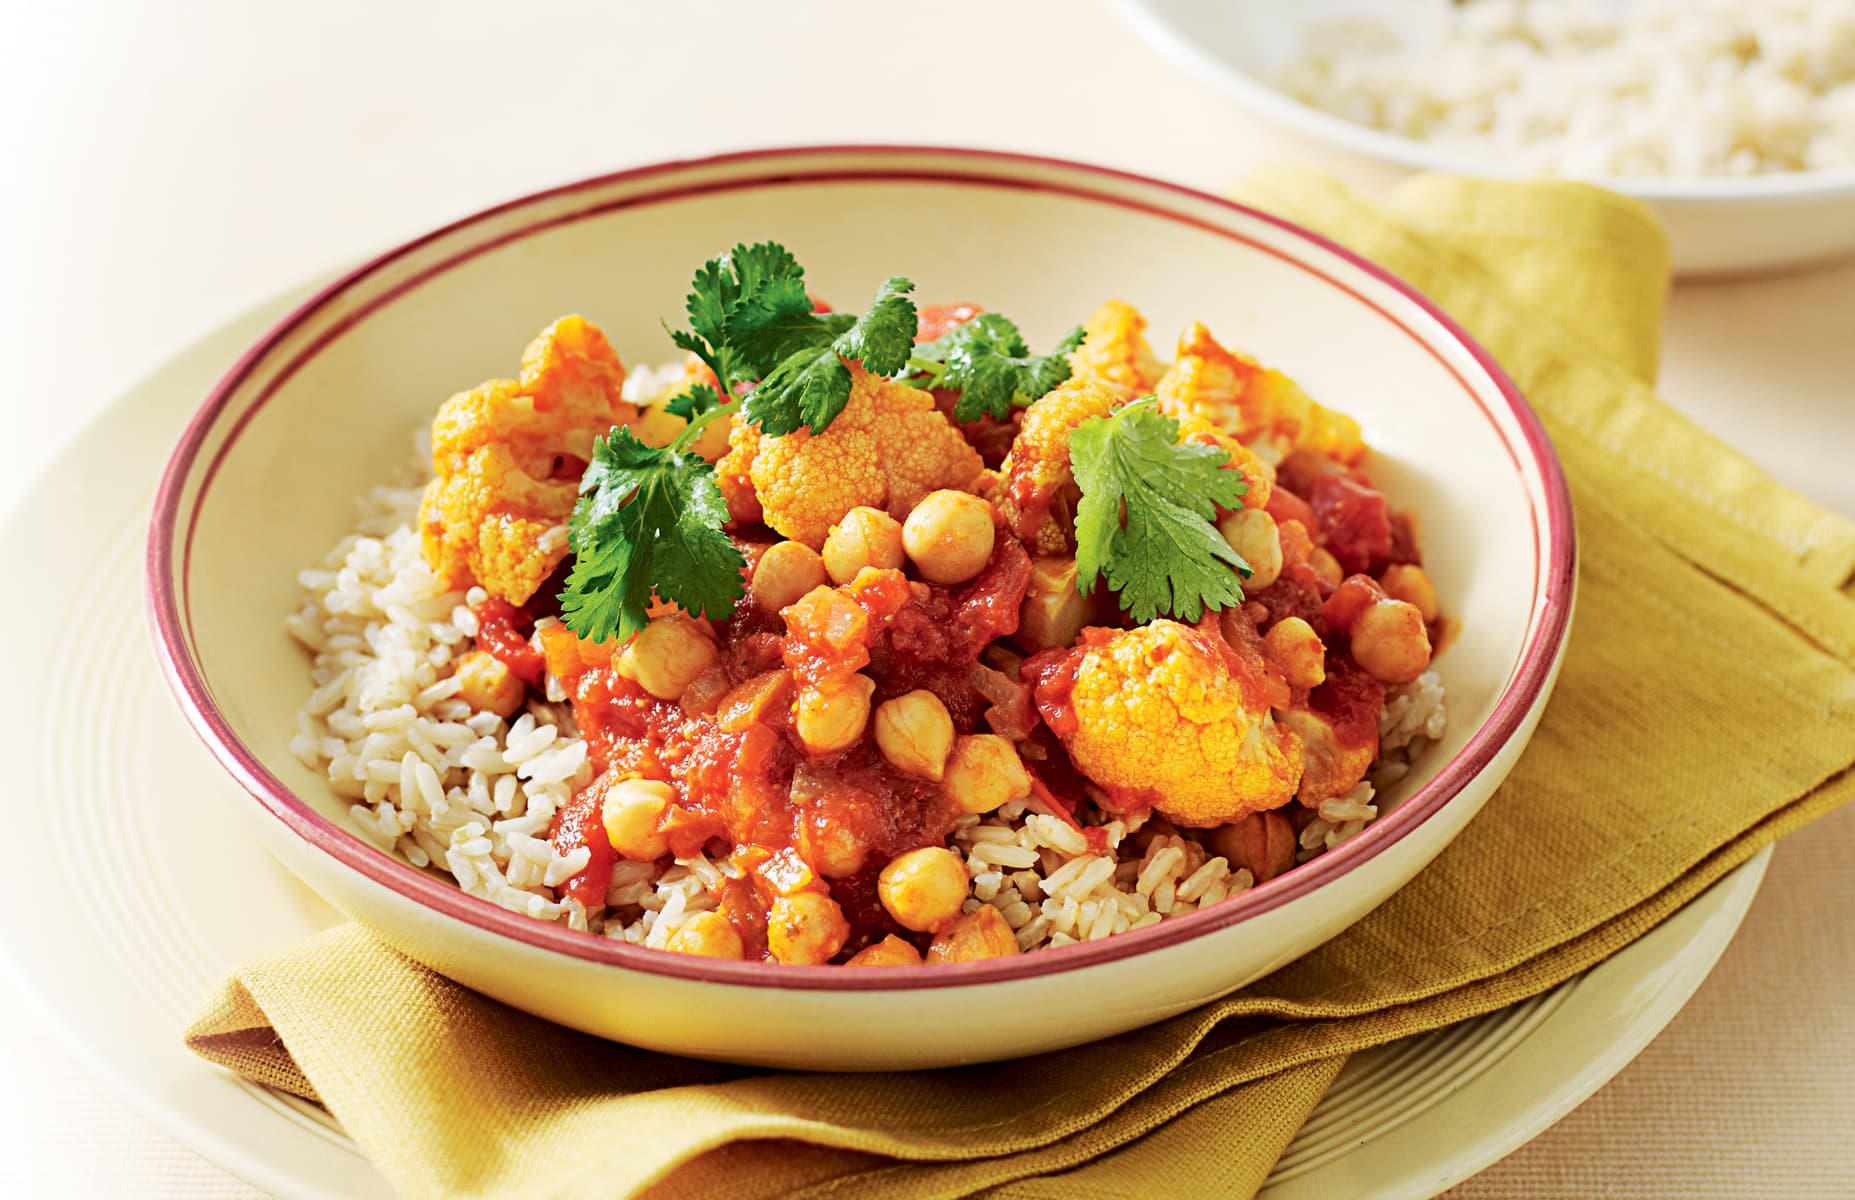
(140, 889)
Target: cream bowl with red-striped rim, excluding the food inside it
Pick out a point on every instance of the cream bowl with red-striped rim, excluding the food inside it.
(324, 407)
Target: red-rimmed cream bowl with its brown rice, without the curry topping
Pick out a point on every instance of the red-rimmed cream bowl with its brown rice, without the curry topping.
(327, 680)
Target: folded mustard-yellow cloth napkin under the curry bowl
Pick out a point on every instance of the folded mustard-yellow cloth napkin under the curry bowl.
(1706, 708)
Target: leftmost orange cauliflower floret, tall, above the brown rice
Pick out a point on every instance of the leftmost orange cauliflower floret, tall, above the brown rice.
(507, 461)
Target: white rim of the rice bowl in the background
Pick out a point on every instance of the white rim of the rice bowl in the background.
(1166, 36)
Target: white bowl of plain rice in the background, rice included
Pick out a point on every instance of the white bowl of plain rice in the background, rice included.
(1733, 121)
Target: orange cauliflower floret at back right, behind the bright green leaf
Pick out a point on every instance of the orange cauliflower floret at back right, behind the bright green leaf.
(1255, 403)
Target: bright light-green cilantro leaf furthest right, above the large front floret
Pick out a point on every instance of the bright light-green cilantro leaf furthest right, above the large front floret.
(1145, 522)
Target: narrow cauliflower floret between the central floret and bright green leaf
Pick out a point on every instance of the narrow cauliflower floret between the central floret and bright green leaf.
(1040, 500)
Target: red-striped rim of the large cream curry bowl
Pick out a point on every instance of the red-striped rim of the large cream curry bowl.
(1557, 565)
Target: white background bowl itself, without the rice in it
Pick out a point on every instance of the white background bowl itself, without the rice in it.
(1717, 227)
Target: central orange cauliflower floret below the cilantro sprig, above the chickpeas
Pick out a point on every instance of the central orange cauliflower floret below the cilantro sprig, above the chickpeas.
(888, 450)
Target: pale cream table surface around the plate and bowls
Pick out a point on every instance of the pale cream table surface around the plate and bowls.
(175, 164)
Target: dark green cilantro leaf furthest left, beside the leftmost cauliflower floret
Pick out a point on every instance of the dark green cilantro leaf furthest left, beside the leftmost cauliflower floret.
(646, 520)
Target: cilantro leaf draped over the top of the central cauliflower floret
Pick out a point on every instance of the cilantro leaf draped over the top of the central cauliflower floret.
(812, 385)
